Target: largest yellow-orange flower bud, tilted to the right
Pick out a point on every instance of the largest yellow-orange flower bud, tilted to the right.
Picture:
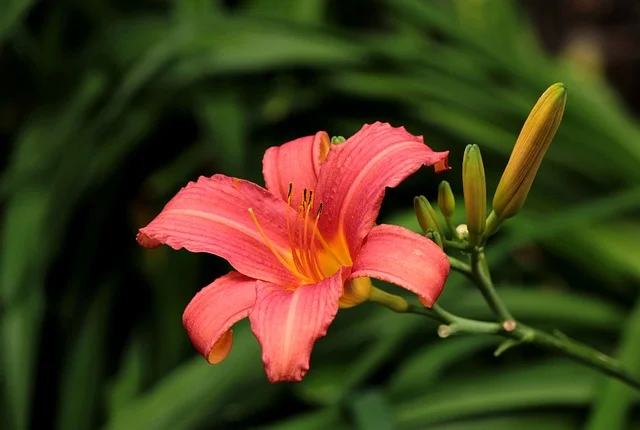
(536, 136)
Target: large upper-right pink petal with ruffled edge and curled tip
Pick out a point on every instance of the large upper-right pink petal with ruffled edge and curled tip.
(353, 178)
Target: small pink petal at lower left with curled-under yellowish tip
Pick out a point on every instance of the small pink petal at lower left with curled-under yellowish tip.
(211, 313)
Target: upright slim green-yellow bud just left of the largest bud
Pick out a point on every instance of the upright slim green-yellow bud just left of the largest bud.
(475, 192)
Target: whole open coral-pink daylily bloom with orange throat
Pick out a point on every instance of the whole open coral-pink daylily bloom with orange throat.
(304, 246)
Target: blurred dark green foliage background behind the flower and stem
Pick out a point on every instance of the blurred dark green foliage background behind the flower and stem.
(108, 107)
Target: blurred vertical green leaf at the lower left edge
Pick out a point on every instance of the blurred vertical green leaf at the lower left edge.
(21, 274)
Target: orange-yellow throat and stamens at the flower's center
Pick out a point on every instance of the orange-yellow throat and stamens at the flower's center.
(310, 257)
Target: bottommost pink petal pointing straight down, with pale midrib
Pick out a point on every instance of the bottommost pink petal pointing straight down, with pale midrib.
(287, 323)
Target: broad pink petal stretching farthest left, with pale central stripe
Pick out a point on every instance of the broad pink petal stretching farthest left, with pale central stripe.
(212, 215)
